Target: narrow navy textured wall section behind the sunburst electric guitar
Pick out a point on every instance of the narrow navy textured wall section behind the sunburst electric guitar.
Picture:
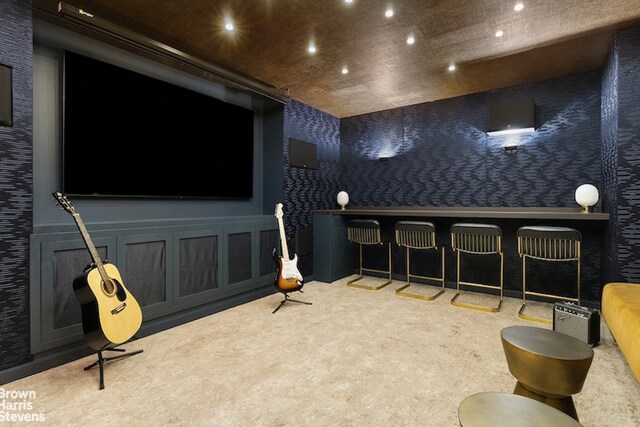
(308, 190)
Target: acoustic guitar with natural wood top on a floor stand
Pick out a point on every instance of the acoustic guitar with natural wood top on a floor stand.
(110, 314)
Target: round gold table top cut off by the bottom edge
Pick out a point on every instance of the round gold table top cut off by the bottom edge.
(490, 409)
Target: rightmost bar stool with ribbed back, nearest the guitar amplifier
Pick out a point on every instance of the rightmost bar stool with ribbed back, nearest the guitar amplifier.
(555, 244)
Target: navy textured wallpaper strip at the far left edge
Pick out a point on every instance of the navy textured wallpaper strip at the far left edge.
(16, 176)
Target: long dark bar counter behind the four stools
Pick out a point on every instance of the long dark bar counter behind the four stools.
(334, 257)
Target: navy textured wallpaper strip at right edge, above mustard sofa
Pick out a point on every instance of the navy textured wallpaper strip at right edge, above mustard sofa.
(628, 153)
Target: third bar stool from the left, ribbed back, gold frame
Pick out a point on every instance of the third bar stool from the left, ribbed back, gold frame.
(477, 239)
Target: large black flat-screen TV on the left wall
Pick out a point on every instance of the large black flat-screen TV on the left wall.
(129, 135)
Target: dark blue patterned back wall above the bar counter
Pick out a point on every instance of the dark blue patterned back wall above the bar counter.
(441, 156)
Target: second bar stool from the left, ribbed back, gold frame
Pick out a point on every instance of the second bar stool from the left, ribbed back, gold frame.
(420, 236)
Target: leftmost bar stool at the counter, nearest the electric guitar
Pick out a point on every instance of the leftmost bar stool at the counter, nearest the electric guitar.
(367, 232)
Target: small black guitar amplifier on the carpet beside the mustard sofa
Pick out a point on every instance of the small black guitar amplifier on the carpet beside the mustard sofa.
(579, 322)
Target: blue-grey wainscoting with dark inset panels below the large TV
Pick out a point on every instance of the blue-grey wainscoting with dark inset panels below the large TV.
(171, 269)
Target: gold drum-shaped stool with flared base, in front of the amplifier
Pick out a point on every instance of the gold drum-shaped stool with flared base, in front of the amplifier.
(549, 366)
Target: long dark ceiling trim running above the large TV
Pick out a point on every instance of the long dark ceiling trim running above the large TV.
(208, 70)
